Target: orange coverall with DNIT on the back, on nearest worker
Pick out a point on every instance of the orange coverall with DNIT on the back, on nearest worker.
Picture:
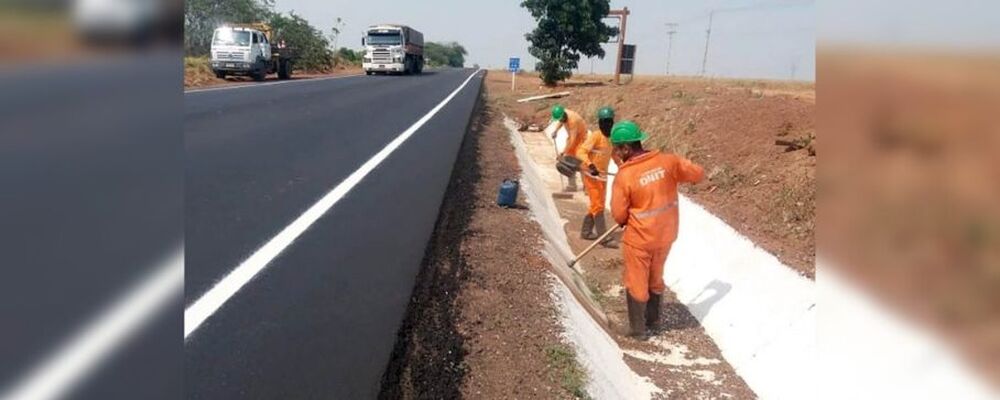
(644, 198)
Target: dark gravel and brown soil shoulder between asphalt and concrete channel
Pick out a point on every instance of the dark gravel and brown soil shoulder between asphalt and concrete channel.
(481, 322)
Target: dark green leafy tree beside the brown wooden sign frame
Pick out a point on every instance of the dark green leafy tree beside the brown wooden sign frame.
(566, 29)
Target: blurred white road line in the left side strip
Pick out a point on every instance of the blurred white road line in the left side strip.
(81, 355)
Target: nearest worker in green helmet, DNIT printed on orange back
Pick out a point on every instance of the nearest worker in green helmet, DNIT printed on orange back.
(644, 200)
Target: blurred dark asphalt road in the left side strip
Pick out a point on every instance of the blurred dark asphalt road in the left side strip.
(90, 202)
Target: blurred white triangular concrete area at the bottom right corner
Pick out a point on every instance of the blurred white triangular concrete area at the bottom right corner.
(869, 353)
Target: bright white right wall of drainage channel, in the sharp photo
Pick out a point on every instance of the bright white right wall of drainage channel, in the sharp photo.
(759, 312)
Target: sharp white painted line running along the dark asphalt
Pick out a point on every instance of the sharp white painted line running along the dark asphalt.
(214, 298)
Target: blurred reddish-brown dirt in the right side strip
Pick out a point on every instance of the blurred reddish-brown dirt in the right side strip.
(911, 184)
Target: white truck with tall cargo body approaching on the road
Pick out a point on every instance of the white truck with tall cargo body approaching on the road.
(393, 49)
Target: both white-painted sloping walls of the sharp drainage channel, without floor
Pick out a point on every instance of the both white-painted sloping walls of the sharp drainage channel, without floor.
(759, 312)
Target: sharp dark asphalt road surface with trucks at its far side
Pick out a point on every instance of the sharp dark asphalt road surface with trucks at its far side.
(321, 319)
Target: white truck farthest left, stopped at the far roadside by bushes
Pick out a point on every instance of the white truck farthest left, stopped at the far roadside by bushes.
(250, 50)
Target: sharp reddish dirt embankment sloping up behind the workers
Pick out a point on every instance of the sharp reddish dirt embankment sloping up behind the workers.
(730, 127)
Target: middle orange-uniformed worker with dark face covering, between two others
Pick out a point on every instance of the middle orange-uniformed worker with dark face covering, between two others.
(595, 155)
